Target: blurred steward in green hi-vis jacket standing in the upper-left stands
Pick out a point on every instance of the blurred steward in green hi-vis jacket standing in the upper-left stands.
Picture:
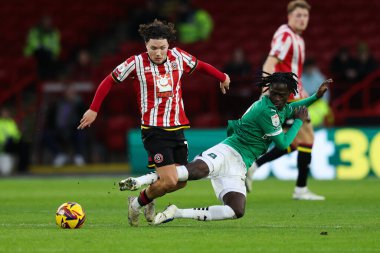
(43, 42)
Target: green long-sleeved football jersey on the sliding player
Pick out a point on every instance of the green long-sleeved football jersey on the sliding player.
(261, 124)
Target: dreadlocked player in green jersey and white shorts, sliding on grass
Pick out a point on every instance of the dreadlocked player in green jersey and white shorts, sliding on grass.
(248, 138)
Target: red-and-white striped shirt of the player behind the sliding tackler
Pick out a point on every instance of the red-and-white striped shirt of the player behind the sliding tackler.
(289, 48)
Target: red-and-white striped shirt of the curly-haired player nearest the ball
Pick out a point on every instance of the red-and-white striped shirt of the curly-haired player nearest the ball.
(158, 86)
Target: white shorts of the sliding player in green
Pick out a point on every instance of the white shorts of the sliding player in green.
(227, 170)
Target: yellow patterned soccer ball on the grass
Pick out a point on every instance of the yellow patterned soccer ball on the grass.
(70, 215)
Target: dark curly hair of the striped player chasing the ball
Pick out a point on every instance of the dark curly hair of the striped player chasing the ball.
(157, 30)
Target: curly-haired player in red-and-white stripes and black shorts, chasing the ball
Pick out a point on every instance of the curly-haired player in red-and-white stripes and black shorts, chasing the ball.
(157, 78)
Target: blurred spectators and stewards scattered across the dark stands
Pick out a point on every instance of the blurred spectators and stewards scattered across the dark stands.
(70, 84)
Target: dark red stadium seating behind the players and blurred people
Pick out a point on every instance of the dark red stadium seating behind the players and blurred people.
(100, 27)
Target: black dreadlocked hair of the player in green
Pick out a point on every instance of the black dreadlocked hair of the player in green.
(288, 78)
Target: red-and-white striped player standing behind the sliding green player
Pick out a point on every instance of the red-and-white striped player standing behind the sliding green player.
(287, 55)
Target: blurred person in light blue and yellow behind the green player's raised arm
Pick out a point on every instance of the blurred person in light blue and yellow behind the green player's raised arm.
(320, 112)
